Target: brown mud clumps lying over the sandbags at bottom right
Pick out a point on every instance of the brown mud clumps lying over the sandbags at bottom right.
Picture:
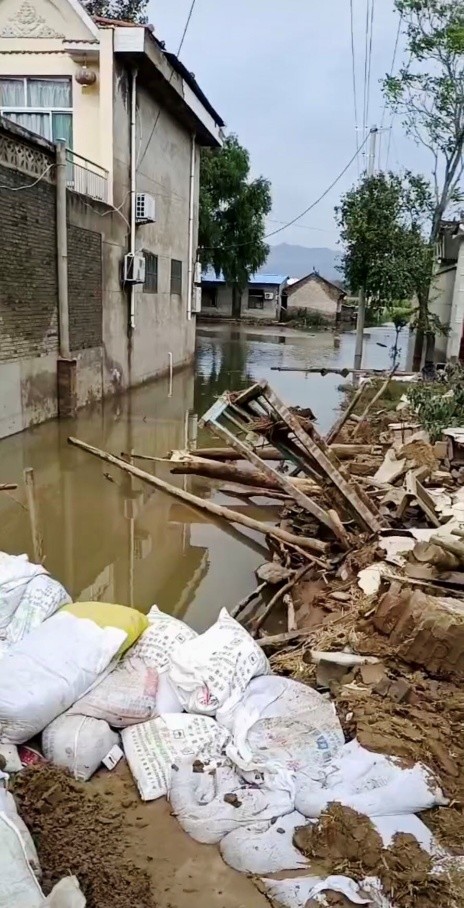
(349, 844)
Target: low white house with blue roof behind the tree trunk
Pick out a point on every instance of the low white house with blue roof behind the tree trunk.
(261, 299)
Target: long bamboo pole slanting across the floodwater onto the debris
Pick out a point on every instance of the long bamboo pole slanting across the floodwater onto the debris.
(303, 542)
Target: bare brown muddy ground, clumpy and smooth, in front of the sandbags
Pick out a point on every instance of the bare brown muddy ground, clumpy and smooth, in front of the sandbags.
(126, 854)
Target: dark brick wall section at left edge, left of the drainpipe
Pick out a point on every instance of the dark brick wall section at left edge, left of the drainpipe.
(28, 281)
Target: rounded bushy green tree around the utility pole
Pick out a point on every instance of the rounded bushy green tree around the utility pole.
(382, 230)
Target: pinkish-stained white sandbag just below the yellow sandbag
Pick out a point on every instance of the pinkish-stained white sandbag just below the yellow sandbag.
(125, 697)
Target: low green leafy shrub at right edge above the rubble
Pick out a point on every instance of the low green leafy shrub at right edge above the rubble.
(439, 407)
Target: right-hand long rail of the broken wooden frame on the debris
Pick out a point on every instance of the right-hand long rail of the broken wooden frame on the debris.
(365, 515)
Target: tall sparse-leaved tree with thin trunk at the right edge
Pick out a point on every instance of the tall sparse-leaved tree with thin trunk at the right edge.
(429, 94)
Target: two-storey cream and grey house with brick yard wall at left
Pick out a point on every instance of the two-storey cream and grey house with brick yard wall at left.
(133, 120)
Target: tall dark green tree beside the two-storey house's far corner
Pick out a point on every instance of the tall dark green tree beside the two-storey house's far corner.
(233, 208)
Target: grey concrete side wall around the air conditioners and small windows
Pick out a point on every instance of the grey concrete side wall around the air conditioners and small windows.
(161, 322)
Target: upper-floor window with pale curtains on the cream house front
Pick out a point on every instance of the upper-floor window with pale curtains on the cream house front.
(43, 106)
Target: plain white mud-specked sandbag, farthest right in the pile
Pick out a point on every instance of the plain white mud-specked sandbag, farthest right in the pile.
(372, 784)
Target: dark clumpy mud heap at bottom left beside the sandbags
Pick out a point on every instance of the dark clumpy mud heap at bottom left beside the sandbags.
(78, 831)
